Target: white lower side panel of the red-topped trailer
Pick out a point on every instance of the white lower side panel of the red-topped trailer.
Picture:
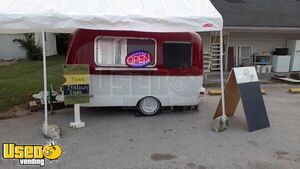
(124, 90)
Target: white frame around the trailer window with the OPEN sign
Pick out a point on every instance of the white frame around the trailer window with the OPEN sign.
(124, 65)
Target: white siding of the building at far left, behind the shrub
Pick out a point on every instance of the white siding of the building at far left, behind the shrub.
(11, 50)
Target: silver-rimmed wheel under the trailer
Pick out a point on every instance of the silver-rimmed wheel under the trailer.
(149, 106)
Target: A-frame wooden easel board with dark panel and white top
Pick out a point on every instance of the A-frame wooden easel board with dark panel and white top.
(243, 84)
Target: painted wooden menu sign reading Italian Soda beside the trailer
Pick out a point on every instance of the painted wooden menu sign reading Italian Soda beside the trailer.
(76, 87)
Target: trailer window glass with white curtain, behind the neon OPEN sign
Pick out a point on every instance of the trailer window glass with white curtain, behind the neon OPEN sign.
(112, 51)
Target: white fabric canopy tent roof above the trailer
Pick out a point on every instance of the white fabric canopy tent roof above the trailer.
(137, 15)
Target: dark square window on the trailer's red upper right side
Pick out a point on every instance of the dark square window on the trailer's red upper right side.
(177, 55)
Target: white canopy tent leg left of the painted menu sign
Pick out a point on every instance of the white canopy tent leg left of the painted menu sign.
(45, 84)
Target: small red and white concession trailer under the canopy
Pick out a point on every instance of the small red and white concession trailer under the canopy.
(148, 70)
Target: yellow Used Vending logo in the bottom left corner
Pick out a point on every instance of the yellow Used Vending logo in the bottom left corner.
(32, 154)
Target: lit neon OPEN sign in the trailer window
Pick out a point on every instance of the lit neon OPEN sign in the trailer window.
(138, 59)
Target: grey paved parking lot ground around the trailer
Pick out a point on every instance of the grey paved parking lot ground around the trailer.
(114, 138)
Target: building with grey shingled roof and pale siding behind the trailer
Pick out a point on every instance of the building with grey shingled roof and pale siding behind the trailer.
(254, 27)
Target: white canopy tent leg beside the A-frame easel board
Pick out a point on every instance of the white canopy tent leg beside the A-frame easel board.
(221, 73)
